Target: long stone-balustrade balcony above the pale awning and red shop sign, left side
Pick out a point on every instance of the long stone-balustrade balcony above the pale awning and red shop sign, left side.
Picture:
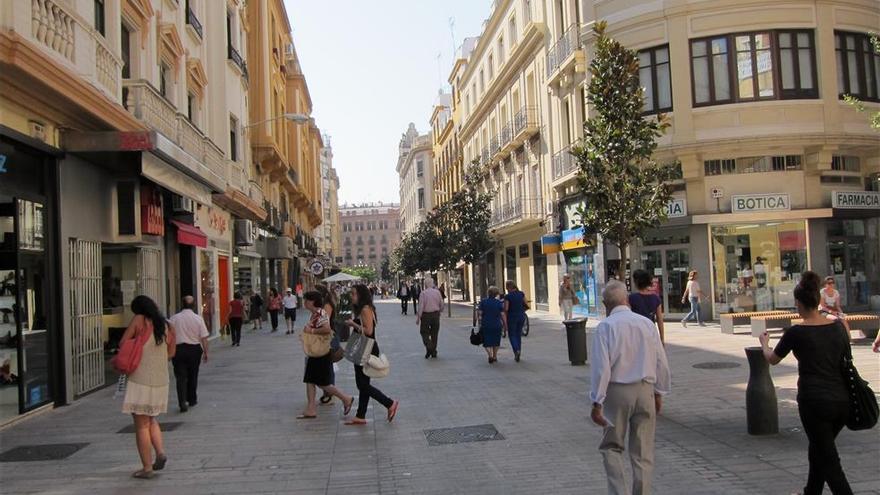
(151, 108)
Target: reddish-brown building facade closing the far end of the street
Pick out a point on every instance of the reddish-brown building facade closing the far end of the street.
(370, 232)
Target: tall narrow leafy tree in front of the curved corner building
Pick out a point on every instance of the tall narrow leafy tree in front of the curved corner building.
(625, 190)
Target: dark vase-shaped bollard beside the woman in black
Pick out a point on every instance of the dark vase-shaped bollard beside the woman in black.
(762, 412)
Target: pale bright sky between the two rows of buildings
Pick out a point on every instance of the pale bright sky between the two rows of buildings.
(371, 68)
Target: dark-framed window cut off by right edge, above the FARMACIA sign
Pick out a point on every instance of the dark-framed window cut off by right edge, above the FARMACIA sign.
(858, 66)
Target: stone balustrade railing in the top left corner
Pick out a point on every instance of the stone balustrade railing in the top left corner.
(60, 31)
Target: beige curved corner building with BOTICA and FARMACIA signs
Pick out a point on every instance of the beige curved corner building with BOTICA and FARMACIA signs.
(778, 174)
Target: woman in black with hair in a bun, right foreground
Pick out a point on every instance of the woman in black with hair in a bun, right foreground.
(819, 346)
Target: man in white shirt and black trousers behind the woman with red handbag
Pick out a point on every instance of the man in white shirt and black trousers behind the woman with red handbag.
(192, 349)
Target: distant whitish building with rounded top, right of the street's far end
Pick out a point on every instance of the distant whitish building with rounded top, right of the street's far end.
(416, 174)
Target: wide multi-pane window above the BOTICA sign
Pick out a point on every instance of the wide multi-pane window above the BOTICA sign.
(768, 65)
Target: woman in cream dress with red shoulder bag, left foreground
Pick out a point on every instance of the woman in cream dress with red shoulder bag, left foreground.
(147, 345)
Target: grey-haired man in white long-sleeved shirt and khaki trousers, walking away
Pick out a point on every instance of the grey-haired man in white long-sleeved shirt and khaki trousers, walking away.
(630, 375)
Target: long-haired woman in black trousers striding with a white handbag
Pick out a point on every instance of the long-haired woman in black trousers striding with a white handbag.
(365, 323)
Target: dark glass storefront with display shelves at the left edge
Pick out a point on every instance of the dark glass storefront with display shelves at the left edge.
(31, 361)
